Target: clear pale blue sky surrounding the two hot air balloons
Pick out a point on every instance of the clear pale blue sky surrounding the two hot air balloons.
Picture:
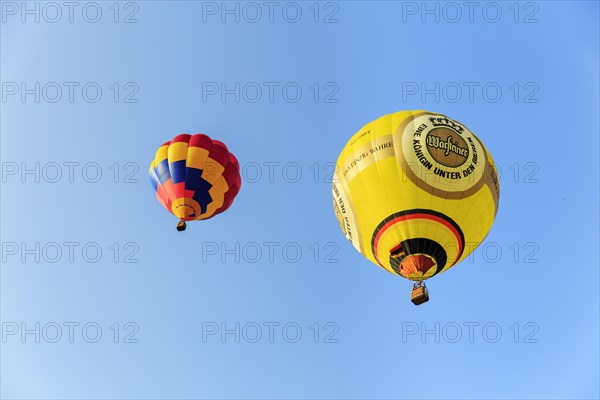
(102, 298)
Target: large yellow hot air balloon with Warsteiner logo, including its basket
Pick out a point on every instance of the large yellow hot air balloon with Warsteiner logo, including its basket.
(415, 192)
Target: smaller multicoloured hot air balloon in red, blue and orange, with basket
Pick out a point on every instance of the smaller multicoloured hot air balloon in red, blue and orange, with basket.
(195, 177)
